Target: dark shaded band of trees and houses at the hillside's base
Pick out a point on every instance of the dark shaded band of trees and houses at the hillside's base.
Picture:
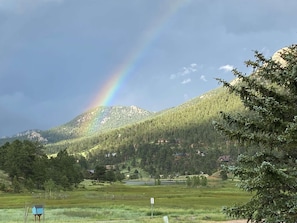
(165, 159)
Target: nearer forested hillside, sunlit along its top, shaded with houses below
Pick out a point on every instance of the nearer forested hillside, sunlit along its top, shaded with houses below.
(181, 139)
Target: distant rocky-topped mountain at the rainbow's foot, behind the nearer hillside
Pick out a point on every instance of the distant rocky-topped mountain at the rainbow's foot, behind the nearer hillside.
(111, 117)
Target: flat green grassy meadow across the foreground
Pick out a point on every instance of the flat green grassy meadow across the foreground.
(122, 203)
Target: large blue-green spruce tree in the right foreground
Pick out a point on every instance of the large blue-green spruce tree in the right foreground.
(269, 124)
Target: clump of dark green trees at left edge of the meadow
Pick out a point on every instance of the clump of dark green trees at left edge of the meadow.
(27, 165)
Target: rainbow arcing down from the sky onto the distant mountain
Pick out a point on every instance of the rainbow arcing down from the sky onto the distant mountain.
(109, 89)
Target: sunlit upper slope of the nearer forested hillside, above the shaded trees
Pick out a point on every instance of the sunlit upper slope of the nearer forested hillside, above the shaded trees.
(189, 123)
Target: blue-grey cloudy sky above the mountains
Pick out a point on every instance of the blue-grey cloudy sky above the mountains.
(56, 56)
